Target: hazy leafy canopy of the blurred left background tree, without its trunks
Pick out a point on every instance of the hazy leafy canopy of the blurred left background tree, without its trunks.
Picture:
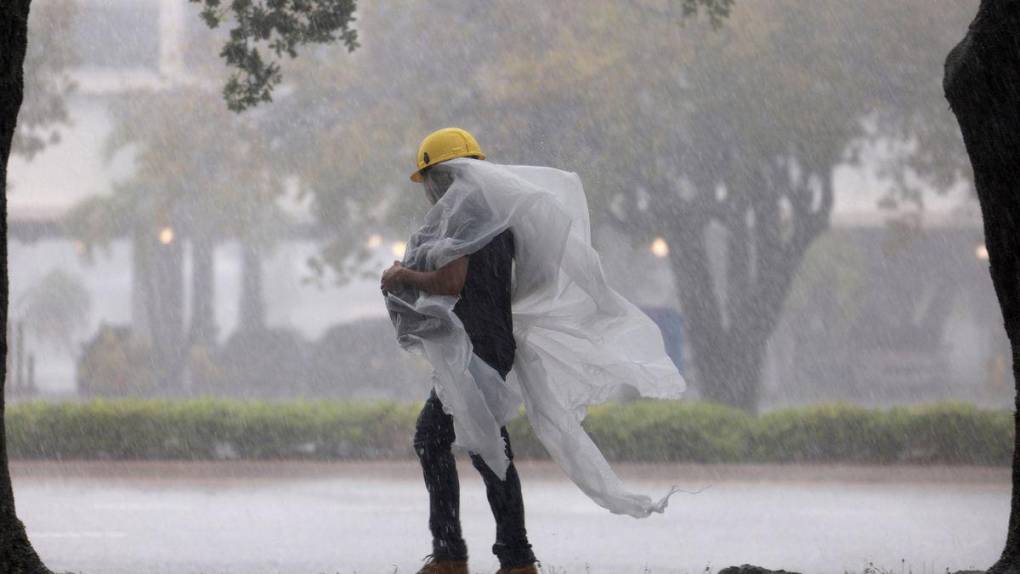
(198, 169)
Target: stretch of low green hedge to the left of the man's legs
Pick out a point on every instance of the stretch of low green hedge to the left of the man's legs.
(210, 430)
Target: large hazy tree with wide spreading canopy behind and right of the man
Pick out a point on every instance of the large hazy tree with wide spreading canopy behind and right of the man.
(724, 141)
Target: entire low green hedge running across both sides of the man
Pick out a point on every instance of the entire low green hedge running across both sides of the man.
(644, 432)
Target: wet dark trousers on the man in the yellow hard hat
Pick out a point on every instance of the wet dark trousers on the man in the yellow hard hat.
(433, 438)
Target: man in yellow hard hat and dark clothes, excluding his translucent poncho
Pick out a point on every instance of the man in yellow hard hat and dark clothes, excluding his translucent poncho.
(482, 281)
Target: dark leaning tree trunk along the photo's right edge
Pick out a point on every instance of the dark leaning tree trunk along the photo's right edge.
(983, 86)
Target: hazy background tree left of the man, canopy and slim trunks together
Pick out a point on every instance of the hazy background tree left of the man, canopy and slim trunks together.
(202, 176)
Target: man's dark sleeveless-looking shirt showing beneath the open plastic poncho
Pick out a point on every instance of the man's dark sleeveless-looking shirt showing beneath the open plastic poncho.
(485, 303)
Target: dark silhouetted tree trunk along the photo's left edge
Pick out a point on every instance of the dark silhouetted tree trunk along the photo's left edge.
(17, 554)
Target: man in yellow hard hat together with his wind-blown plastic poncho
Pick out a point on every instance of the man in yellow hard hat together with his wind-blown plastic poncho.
(500, 281)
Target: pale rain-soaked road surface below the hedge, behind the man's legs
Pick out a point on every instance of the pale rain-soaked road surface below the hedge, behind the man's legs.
(367, 518)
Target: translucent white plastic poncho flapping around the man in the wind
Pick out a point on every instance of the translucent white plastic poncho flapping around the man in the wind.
(579, 342)
